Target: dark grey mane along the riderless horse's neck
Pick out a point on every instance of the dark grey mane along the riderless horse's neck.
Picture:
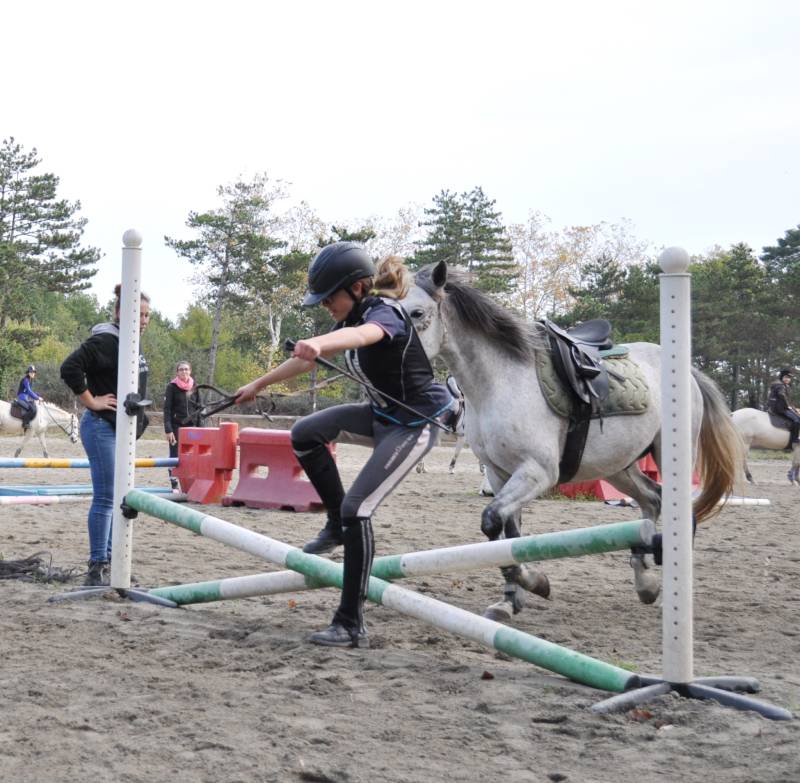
(476, 312)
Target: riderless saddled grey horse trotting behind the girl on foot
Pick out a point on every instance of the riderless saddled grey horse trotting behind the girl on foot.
(513, 431)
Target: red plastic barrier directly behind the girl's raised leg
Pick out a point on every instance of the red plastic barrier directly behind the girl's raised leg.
(285, 484)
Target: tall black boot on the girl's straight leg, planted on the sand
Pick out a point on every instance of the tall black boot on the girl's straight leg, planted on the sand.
(347, 628)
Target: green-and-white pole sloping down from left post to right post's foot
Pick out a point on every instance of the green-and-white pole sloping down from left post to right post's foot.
(573, 665)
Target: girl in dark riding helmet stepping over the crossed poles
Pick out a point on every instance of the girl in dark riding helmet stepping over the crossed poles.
(382, 348)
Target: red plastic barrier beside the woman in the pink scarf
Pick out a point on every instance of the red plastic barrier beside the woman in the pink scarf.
(206, 461)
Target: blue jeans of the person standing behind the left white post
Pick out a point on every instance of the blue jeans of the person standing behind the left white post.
(98, 438)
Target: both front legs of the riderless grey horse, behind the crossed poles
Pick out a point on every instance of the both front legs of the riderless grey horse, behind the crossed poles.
(502, 518)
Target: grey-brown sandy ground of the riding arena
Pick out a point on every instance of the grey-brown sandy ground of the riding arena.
(108, 690)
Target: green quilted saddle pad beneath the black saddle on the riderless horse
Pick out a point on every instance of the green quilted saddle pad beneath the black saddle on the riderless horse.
(630, 396)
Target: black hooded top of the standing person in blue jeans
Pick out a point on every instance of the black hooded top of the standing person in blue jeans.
(94, 364)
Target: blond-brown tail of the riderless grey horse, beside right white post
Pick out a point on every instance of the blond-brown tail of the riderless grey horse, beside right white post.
(720, 454)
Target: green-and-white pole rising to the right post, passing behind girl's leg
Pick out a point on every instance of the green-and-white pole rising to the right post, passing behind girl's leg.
(467, 557)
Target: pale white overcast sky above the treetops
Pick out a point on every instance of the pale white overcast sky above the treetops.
(681, 117)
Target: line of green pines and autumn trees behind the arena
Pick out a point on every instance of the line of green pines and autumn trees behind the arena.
(250, 251)
